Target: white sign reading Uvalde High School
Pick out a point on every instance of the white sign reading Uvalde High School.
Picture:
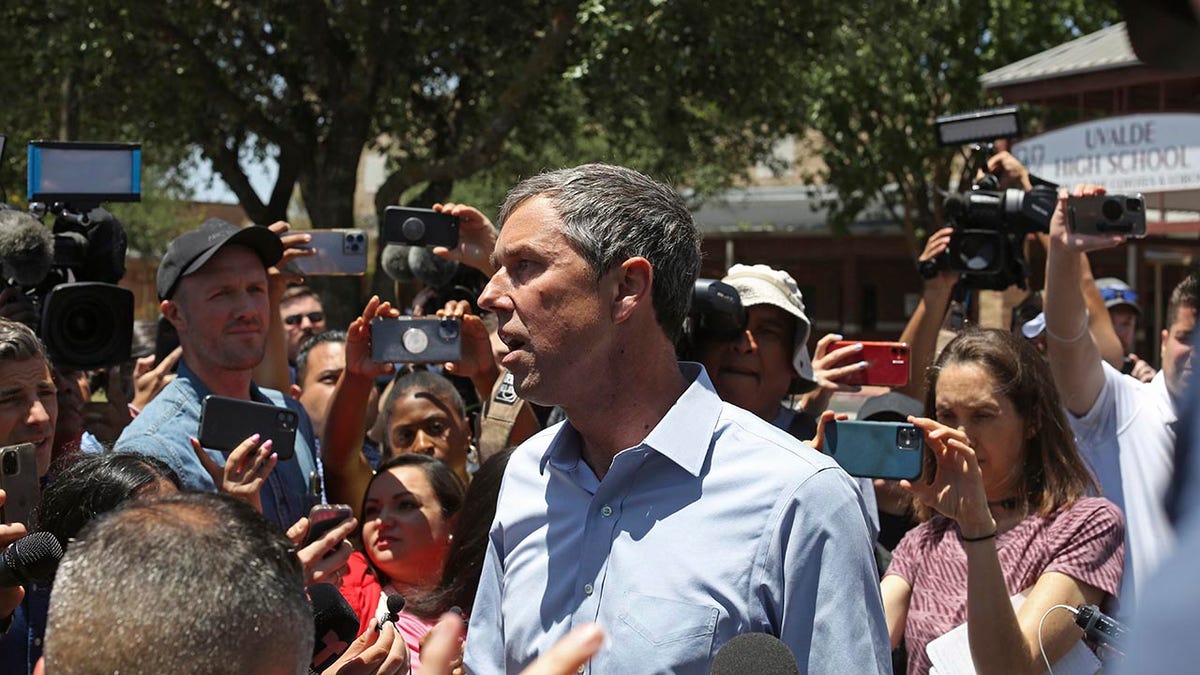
(1155, 153)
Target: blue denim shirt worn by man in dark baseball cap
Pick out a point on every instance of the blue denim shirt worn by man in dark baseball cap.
(164, 428)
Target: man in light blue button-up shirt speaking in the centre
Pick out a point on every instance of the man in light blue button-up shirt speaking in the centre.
(674, 521)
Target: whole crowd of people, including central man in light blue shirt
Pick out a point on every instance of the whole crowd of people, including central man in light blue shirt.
(571, 495)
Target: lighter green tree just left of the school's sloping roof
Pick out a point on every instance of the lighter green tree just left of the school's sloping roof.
(893, 68)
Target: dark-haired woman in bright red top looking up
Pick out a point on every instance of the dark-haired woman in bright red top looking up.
(409, 512)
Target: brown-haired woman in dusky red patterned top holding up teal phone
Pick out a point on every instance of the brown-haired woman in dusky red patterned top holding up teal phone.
(1005, 513)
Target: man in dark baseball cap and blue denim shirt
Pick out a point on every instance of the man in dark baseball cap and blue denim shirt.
(213, 285)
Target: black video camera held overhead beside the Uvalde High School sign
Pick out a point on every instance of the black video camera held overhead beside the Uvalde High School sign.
(991, 225)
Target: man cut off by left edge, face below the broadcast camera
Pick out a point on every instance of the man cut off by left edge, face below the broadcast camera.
(28, 415)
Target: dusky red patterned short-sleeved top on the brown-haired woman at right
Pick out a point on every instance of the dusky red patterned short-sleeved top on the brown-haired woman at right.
(1085, 542)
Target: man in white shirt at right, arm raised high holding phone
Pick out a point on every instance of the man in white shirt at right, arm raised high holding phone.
(1124, 426)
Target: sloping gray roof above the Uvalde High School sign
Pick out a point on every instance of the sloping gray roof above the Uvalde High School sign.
(1102, 51)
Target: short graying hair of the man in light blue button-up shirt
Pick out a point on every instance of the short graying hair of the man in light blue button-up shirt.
(611, 214)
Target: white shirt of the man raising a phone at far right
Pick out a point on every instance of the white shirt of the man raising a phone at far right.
(1129, 441)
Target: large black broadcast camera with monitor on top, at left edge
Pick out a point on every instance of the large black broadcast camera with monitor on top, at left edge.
(69, 273)
